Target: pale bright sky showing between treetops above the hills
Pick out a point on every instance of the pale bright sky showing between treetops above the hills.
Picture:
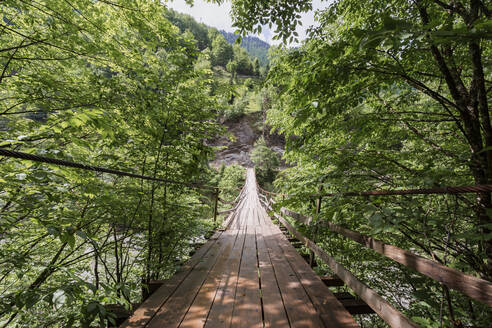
(218, 16)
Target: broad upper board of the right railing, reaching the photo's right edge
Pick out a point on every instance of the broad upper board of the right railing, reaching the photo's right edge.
(475, 288)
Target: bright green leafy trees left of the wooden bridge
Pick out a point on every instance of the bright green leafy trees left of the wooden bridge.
(108, 84)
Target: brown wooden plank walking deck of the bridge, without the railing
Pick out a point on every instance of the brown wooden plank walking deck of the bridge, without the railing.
(247, 276)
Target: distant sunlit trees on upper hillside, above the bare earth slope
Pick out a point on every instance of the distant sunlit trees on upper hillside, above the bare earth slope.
(236, 68)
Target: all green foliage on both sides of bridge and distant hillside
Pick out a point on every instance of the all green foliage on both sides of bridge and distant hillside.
(380, 96)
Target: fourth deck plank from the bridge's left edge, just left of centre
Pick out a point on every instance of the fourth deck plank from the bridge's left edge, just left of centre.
(221, 311)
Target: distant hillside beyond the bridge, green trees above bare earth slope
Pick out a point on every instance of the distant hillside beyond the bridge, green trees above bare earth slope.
(237, 70)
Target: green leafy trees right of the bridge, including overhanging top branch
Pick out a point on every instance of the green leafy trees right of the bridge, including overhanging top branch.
(391, 96)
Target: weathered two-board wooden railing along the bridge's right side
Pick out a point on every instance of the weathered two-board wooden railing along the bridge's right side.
(475, 288)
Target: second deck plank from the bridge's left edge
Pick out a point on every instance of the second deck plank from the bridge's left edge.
(173, 311)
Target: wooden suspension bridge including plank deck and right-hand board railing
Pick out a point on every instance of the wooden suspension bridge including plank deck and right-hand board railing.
(249, 274)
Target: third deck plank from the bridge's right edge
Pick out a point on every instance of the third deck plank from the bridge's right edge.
(273, 306)
